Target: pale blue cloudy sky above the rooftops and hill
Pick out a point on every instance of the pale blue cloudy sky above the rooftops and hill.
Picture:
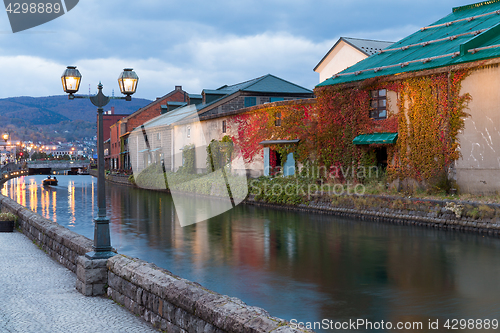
(197, 43)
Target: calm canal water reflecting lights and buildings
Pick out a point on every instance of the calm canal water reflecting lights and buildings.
(298, 266)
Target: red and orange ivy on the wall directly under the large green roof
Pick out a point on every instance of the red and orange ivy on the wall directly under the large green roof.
(431, 115)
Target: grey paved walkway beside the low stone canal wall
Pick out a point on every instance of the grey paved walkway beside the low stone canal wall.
(38, 295)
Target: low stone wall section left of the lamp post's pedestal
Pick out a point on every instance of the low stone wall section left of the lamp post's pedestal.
(60, 243)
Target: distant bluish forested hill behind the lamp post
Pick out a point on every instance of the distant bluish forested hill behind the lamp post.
(55, 118)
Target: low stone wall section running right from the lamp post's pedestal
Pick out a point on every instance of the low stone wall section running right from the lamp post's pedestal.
(177, 305)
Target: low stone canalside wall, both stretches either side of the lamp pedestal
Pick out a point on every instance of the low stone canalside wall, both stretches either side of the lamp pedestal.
(168, 301)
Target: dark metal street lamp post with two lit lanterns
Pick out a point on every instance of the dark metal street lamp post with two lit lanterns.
(127, 81)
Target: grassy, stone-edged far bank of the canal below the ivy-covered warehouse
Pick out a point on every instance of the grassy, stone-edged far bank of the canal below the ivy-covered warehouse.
(451, 214)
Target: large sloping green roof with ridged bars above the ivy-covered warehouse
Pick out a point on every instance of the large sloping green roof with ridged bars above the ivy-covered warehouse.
(468, 34)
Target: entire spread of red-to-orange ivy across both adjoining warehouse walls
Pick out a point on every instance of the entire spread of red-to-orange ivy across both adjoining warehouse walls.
(430, 115)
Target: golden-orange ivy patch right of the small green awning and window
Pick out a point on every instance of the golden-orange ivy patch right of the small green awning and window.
(433, 115)
